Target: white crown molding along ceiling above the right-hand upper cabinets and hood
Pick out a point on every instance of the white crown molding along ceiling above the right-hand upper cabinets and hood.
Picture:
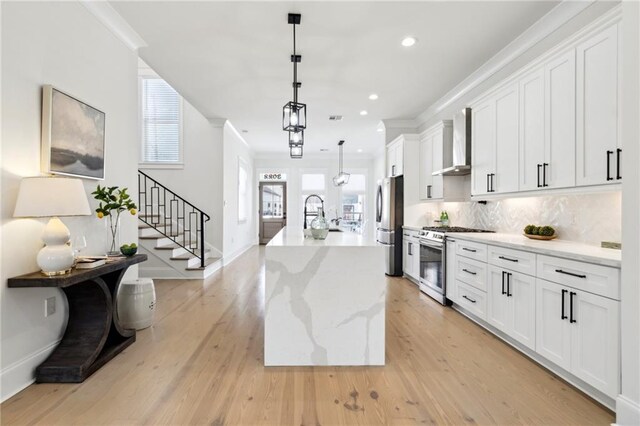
(552, 21)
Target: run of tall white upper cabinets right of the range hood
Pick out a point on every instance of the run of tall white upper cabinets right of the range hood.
(555, 123)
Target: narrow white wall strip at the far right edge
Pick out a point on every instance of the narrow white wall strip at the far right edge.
(628, 404)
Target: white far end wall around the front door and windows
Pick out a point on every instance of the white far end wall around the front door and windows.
(328, 165)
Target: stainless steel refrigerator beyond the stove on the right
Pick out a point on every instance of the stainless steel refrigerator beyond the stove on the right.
(389, 218)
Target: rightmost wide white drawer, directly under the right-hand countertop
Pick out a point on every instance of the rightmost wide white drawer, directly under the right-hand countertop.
(597, 279)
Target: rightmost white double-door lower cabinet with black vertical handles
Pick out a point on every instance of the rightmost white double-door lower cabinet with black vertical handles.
(579, 331)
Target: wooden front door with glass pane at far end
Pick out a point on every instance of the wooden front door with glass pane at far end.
(273, 209)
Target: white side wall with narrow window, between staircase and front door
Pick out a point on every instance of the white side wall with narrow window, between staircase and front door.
(237, 236)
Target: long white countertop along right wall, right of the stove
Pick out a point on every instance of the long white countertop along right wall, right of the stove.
(558, 248)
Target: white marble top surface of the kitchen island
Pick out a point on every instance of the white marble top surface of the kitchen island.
(294, 237)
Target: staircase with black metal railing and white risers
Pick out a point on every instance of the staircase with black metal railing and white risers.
(172, 232)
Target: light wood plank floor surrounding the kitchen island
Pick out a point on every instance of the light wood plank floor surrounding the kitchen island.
(201, 363)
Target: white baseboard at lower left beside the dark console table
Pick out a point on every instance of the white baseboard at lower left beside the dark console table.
(20, 374)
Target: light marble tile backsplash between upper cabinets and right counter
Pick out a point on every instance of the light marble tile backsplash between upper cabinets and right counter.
(587, 218)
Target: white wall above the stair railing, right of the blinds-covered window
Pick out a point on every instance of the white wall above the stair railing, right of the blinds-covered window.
(200, 180)
